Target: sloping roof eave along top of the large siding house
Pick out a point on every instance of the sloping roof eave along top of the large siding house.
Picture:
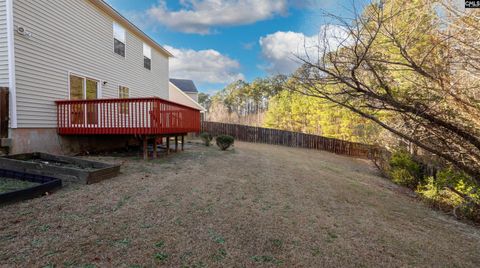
(119, 18)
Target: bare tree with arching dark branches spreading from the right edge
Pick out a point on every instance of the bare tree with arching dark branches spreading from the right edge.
(410, 66)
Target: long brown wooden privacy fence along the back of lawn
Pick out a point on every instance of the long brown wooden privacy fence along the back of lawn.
(291, 139)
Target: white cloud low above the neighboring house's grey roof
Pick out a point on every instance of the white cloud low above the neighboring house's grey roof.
(203, 66)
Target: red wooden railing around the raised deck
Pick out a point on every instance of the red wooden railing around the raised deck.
(133, 116)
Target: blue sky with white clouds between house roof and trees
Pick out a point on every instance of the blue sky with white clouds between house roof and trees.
(218, 41)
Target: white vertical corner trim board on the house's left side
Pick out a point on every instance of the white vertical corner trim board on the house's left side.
(11, 65)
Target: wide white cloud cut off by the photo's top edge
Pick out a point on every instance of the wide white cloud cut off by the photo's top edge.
(200, 16)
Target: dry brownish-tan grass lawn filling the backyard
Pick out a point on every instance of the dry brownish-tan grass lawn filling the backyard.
(256, 205)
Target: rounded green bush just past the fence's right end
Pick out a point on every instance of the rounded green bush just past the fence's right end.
(404, 170)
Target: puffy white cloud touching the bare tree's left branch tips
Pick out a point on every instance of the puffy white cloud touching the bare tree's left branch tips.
(282, 50)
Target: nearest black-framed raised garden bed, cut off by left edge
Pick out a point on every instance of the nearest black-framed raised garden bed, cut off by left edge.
(16, 186)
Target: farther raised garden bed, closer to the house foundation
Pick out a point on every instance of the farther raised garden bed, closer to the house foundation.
(70, 169)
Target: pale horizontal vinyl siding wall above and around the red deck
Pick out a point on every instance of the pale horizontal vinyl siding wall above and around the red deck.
(75, 36)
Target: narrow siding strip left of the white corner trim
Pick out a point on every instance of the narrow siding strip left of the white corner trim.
(3, 45)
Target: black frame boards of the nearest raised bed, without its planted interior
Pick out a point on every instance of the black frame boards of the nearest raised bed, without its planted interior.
(46, 184)
